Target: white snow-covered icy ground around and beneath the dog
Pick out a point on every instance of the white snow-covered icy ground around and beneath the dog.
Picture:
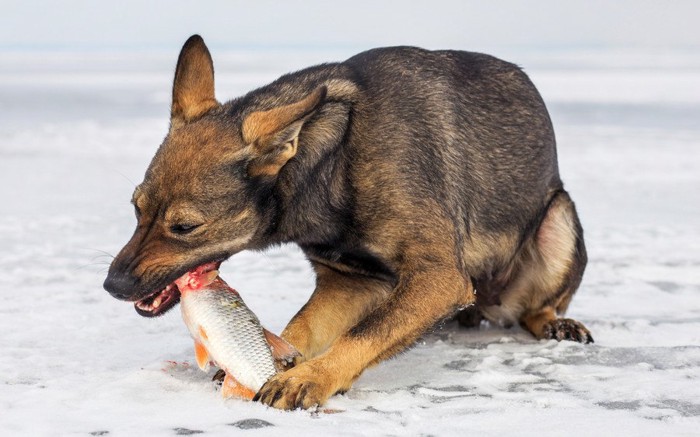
(77, 131)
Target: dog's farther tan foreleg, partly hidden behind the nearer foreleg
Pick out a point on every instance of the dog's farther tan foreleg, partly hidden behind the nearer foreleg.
(338, 303)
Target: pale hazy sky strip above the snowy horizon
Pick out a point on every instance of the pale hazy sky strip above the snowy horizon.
(432, 24)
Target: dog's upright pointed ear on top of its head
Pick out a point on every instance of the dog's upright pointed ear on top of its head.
(193, 87)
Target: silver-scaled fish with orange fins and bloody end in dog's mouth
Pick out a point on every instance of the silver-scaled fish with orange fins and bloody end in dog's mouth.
(228, 333)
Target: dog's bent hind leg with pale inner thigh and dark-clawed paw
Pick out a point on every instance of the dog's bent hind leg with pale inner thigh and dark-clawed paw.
(550, 271)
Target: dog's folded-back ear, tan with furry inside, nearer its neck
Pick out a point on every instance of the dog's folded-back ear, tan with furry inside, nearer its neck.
(273, 135)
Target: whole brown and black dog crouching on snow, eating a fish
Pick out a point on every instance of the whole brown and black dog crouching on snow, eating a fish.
(418, 183)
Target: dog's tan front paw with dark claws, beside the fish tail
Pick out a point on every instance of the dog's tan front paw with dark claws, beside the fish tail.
(304, 386)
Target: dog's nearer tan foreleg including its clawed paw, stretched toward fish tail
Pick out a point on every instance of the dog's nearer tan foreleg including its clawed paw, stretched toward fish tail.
(429, 289)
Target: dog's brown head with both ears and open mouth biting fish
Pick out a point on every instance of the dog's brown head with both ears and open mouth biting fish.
(205, 195)
